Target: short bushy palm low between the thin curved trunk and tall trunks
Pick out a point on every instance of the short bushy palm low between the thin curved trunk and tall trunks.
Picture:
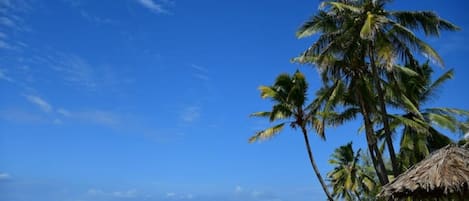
(349, 179)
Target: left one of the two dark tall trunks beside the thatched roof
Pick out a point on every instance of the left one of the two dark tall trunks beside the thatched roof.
(375, 154)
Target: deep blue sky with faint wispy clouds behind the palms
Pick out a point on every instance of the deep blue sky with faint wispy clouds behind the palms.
(149, 99)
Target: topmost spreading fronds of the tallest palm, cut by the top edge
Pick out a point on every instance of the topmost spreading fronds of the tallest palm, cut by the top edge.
(339, 21)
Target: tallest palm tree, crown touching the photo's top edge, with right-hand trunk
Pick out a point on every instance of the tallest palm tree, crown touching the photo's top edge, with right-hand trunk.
(379, 36)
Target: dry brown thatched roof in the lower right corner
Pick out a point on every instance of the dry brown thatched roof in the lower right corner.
(444, 173)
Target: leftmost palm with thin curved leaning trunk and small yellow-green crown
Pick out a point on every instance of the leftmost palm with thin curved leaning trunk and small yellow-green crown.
(289, 96)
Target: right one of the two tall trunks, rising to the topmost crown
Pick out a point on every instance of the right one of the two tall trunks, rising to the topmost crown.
(384, 113)
